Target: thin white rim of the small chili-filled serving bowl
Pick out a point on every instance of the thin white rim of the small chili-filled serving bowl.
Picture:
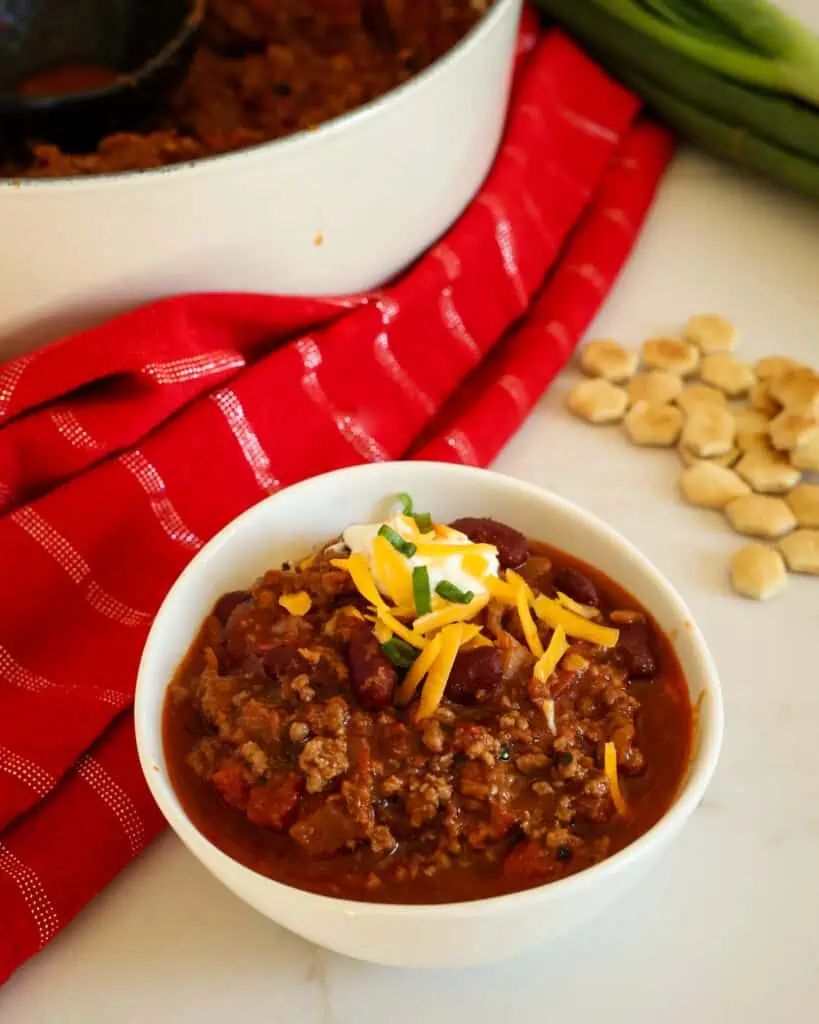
(706, 754)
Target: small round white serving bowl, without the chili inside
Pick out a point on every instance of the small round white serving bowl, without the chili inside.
(290, 524)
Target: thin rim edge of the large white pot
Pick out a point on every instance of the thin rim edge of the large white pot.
(305, 140)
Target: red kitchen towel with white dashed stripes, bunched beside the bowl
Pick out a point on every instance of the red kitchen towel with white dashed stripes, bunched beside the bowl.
(124, 449)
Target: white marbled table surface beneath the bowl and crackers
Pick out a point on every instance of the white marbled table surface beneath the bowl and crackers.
(726, 929)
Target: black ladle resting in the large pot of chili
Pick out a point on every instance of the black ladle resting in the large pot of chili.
(74, 71)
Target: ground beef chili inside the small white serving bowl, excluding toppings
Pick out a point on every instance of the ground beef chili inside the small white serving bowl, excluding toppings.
(318, 784)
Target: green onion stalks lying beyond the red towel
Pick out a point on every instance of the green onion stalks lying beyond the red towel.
(739, 78)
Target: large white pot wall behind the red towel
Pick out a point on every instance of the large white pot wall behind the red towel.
(377, 188)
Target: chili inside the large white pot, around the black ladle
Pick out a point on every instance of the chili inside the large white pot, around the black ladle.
(267, 69)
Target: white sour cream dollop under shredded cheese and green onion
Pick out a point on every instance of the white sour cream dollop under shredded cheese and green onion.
(449, 568)
